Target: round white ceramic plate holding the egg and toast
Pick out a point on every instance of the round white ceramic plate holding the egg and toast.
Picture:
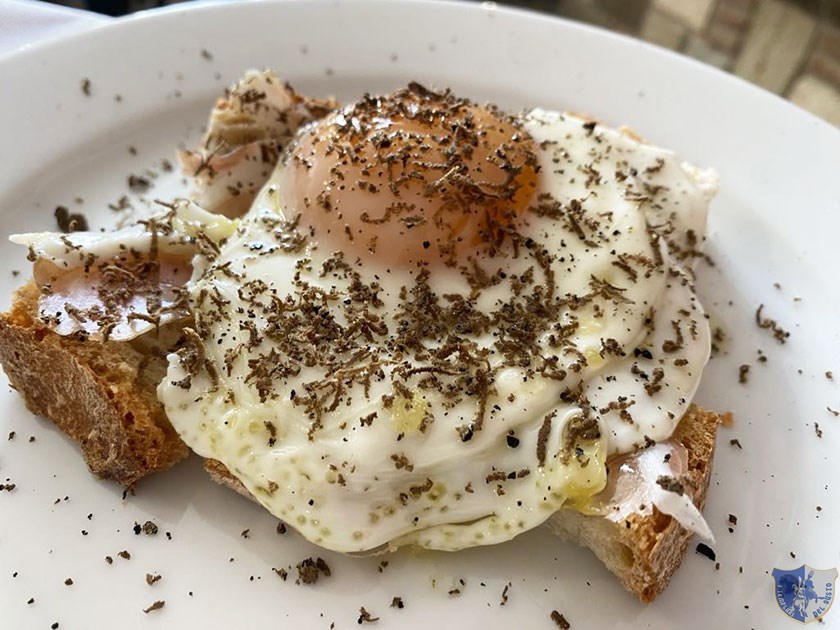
(773, 234)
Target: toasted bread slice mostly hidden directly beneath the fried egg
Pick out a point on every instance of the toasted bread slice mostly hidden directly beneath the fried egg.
(643, 551)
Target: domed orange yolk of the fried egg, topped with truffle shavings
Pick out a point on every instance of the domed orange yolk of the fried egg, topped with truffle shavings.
(416, 176)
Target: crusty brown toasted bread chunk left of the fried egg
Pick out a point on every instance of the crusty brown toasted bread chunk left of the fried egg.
(101, 394)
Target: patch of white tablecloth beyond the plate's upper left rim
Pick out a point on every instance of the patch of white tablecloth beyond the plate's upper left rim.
(25, 22)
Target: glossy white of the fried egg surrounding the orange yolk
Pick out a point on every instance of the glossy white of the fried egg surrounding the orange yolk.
(356, 486)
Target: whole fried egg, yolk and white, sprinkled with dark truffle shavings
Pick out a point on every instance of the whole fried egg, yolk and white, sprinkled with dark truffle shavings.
(438, 320)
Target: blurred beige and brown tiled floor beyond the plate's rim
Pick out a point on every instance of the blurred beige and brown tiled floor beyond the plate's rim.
(790, 47)
